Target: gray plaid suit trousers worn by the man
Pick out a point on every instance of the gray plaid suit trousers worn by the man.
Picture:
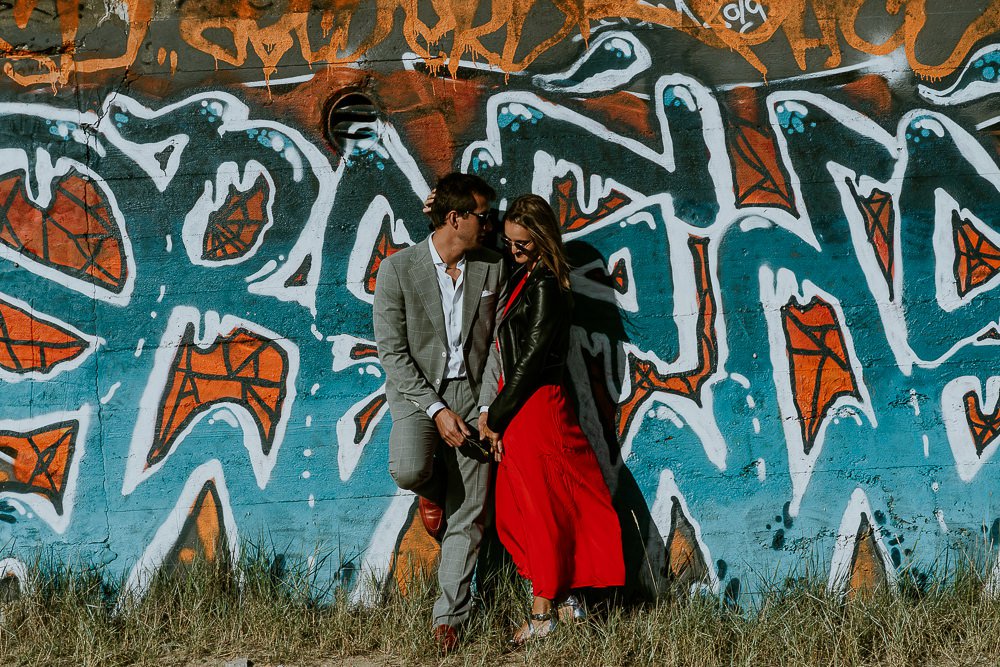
(458, 479)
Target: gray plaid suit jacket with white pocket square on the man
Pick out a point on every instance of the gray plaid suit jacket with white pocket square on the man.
(409, 324)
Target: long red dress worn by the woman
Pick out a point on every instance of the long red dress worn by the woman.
(553, 508)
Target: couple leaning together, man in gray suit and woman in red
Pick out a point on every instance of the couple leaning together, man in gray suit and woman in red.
(460, 346)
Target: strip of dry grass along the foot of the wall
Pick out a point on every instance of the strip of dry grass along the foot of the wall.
(200, 615)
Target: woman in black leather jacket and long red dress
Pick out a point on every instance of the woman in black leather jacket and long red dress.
(553, 508)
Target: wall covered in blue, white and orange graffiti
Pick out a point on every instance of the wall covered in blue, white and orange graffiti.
(783, 221)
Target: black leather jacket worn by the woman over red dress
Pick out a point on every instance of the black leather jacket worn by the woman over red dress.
(534, 341)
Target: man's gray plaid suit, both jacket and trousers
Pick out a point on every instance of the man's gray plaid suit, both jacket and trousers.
(411, 339)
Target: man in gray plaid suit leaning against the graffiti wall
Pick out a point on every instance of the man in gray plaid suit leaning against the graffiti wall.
(436, 304)
